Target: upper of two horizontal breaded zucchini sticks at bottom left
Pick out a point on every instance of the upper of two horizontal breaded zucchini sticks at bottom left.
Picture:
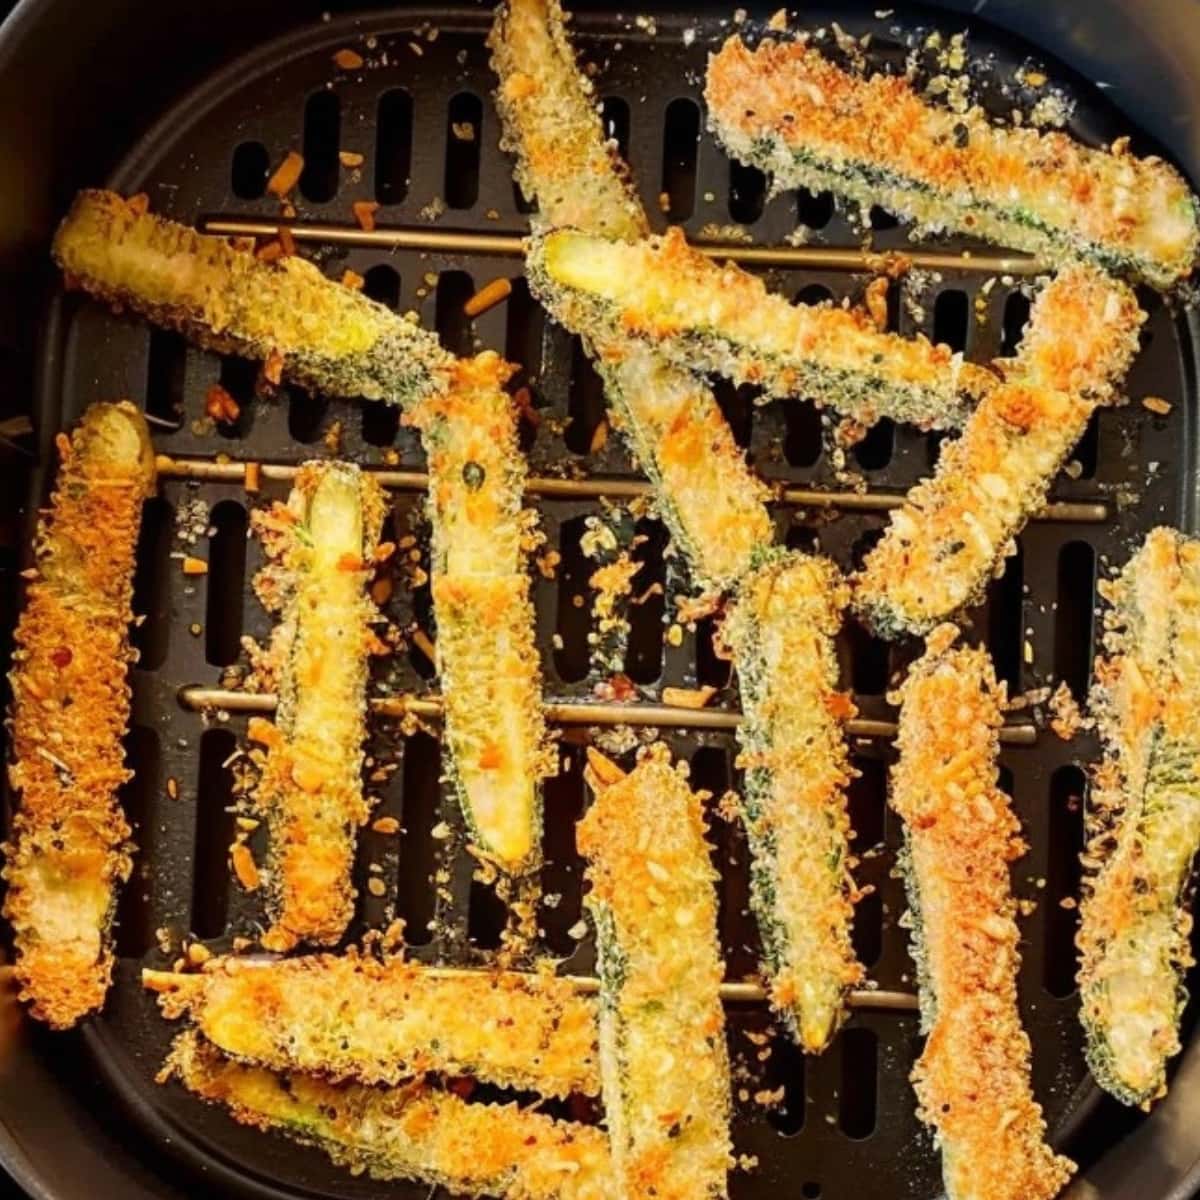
(352, 1017)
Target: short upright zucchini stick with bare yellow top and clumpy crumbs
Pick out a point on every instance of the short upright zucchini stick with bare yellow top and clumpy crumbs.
(322, 545)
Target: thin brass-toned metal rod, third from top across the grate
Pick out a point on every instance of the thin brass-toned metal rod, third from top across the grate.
(665, 716)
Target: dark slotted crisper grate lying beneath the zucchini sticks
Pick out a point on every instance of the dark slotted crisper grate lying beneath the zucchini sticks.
(845, 1125)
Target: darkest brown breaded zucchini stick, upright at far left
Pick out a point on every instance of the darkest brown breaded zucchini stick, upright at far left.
(70, 844)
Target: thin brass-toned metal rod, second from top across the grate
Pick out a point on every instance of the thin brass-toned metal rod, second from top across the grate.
(1077, 512)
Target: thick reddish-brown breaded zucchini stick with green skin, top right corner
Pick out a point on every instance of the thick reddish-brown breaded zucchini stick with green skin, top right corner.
(790, 112)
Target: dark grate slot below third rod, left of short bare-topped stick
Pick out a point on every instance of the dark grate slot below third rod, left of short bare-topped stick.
(215, 831)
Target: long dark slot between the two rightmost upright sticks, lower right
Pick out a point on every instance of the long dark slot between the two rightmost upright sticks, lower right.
(1065, 845)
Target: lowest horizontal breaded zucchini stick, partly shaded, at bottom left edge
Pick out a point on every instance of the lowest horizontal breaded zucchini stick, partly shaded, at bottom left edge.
(406, 1133)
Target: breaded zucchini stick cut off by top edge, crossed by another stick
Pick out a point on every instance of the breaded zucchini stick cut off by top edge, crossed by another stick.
(706, 494)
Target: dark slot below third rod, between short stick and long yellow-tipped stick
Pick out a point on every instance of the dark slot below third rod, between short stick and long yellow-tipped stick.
(418, 857)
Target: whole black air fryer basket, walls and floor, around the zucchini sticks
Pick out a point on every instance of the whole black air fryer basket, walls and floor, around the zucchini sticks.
(81, 1114)
